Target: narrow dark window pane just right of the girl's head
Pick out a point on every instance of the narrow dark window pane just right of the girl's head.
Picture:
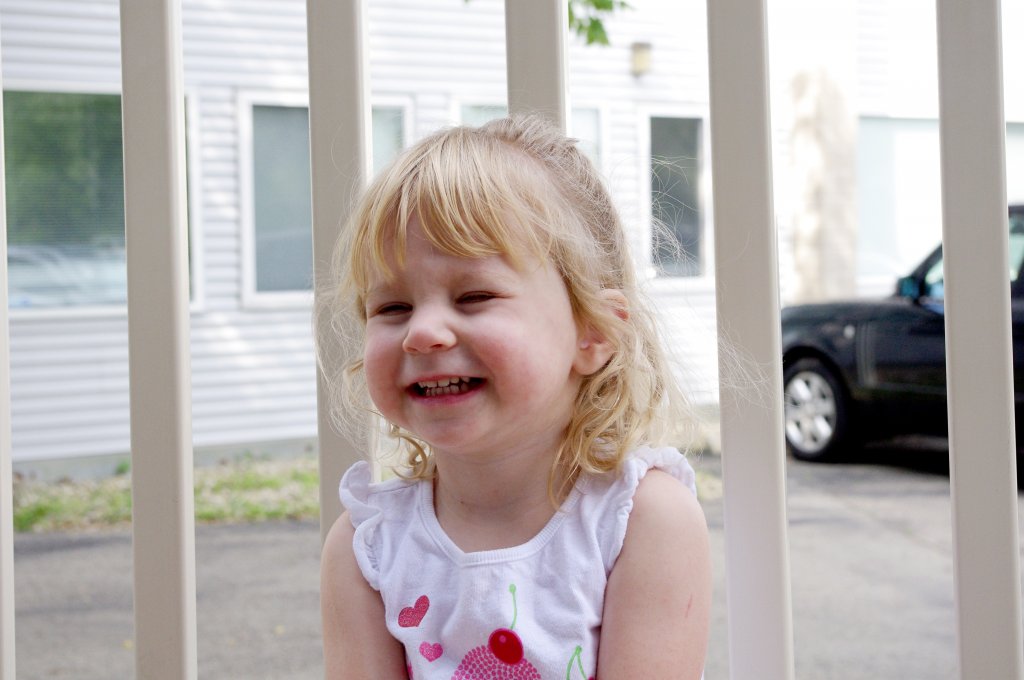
(675, 198)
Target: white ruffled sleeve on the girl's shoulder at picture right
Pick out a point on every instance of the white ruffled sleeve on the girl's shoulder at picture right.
(621, 495)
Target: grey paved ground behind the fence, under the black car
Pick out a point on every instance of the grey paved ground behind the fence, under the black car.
(872, 586)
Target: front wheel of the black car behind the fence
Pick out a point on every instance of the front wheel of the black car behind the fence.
(818, 412)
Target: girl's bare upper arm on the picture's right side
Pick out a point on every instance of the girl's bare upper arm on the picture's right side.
(658, 602)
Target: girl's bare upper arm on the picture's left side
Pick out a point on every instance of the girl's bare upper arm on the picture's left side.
(357, 643)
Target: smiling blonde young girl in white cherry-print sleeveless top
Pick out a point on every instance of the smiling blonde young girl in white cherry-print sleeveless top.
(504, 342)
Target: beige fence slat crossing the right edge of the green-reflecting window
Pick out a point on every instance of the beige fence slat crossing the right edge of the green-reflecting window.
(163, 519)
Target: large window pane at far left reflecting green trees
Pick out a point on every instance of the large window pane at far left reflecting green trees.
(65, 199)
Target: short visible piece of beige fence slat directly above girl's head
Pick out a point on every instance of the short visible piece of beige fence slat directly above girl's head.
(535, 48)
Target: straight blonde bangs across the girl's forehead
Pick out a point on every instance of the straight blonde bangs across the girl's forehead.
(472, 197)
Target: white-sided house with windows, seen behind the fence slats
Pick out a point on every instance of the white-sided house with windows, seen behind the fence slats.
(867, 67)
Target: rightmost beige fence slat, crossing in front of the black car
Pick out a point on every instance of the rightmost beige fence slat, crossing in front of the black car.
(979, 368)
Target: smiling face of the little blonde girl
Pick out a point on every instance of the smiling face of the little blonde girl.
(473, 355)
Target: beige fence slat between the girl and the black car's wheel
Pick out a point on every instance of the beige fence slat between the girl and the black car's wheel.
(753, 456)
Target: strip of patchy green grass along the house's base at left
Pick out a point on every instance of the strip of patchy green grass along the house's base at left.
(239, 492)
